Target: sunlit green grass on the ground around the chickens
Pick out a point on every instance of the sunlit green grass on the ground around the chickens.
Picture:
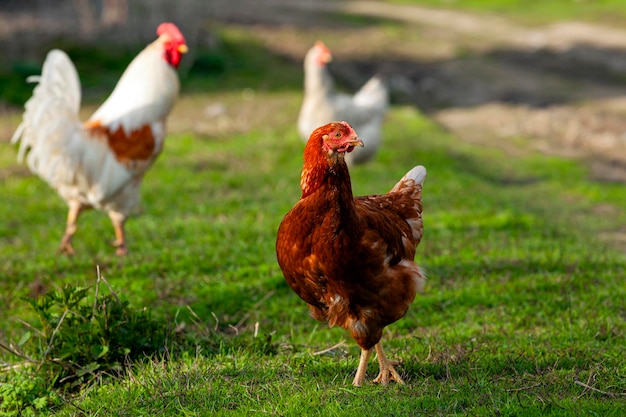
(523, 312)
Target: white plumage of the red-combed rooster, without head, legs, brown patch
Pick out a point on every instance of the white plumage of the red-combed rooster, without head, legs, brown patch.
(77, 163)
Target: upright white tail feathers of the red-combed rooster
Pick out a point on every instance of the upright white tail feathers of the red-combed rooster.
(51, 115)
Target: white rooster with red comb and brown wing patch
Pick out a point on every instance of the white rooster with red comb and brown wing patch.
(100, 163)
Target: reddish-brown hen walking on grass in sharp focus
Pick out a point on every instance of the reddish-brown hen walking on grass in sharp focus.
(351, 259)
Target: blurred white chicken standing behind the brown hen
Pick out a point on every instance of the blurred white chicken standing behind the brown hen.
(322, 104)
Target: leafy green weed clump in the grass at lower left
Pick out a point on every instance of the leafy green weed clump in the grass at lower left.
(77, 341)
